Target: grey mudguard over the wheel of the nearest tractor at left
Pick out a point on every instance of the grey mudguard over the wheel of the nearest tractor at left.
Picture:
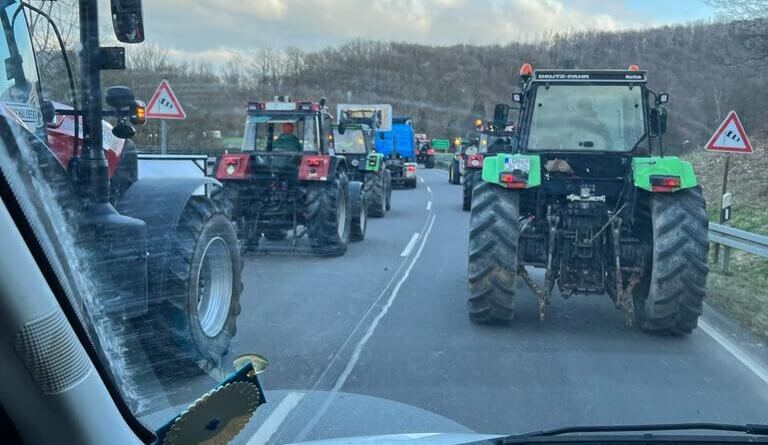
(160, 202)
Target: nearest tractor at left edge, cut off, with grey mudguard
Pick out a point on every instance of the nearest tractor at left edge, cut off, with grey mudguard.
(158, 256)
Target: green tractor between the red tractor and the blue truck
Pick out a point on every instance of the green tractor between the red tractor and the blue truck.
(354, 141)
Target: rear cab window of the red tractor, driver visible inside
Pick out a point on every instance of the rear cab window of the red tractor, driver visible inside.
(279, 134)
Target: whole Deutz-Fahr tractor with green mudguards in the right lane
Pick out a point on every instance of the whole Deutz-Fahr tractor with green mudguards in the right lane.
(588, 195)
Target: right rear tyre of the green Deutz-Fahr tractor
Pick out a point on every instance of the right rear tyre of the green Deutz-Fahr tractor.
(678, 271)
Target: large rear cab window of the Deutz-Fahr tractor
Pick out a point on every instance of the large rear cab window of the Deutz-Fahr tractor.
(587, 118)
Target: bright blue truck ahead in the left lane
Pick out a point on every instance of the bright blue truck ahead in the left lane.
(398, 145)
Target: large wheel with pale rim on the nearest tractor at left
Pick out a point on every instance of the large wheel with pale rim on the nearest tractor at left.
(203, 283)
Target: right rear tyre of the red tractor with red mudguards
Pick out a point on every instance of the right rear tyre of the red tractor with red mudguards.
(329, 216)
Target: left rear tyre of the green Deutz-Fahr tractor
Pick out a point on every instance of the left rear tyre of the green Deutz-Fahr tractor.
(493, 239)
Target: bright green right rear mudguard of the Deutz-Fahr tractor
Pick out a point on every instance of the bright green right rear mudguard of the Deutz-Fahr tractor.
(643, 168)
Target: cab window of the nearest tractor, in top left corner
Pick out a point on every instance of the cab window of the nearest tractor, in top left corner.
(18, 73)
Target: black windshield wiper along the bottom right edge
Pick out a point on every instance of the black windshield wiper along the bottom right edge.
(749, 428)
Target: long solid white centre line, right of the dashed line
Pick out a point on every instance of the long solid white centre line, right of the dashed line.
(361, 344)
